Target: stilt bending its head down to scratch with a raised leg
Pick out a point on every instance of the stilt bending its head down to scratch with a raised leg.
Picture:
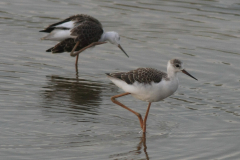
(77, 33)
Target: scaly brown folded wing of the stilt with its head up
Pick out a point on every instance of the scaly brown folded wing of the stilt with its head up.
(141, 75)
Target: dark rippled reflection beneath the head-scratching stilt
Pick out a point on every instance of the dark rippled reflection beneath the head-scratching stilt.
(73, 92)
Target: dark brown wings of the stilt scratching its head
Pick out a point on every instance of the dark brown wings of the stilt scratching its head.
(87, 29)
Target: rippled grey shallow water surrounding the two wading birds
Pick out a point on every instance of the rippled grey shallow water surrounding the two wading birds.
(50, 111)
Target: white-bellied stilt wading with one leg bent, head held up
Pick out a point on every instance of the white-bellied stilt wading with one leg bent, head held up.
(148, 84)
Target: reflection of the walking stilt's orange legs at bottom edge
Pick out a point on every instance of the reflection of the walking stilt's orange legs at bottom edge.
(131, 154)
